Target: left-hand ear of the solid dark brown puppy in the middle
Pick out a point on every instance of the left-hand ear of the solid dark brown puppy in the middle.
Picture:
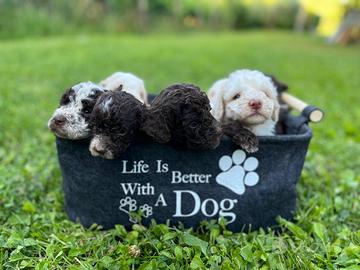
(155, 125)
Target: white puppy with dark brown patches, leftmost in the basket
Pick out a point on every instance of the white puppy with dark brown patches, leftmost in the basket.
(71, 119)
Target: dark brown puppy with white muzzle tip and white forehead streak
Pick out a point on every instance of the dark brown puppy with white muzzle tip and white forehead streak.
(116, 118)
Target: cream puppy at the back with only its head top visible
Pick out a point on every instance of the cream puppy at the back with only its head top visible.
(130, 84)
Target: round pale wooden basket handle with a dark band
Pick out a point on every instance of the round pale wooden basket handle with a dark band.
(312, 113)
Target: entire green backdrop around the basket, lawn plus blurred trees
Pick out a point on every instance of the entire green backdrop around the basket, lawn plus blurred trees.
(47, 46)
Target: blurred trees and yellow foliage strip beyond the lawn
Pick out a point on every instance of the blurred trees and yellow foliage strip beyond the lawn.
(20, 18)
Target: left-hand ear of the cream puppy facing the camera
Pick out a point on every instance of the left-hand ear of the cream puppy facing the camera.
(215, 95)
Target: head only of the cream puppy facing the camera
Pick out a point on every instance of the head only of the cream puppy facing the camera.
(249, 97)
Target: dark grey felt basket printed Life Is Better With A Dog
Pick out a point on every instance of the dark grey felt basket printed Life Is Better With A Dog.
(160, 182)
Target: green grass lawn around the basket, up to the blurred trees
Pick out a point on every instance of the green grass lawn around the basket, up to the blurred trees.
(34, 230)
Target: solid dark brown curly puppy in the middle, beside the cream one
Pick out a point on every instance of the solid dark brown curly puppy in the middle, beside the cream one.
(181, 114)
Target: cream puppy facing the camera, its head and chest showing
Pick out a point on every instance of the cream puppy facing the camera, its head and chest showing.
(249, 97)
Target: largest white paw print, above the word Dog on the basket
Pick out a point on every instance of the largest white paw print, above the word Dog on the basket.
(237, 172)
